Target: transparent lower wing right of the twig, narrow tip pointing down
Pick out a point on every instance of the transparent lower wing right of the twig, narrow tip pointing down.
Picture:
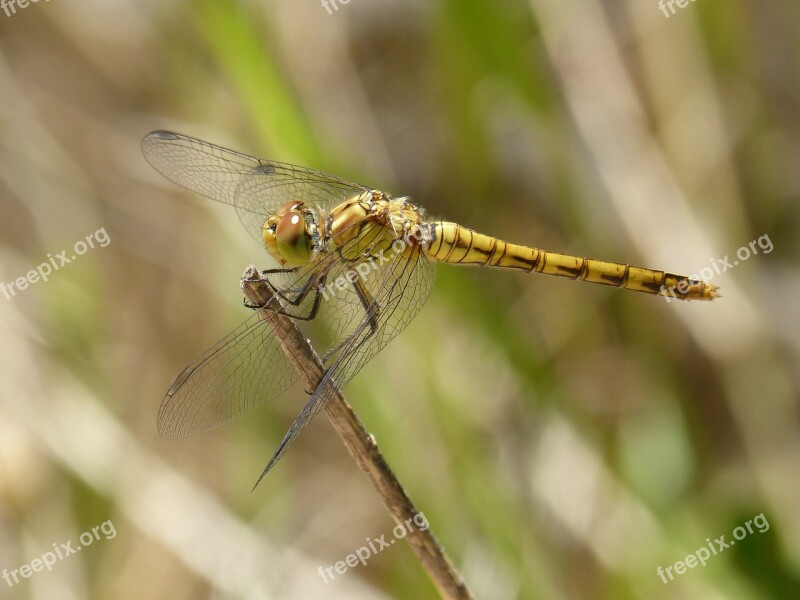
(391, 296)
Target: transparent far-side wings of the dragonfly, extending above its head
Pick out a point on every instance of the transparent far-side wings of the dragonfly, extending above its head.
(256, 187)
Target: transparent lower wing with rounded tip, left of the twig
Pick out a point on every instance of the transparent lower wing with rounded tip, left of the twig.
(245, 369)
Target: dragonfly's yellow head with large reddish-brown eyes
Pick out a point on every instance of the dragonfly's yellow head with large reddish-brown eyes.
(288, 235)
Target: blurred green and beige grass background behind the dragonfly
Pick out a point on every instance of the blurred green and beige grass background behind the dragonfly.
(564, 440)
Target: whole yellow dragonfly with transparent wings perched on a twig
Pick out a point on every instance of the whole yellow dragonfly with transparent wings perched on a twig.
(355, 256)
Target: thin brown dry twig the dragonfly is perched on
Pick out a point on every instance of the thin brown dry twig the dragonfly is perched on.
(359, 442)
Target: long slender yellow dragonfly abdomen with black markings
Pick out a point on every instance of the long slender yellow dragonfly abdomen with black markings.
(455, 244)
